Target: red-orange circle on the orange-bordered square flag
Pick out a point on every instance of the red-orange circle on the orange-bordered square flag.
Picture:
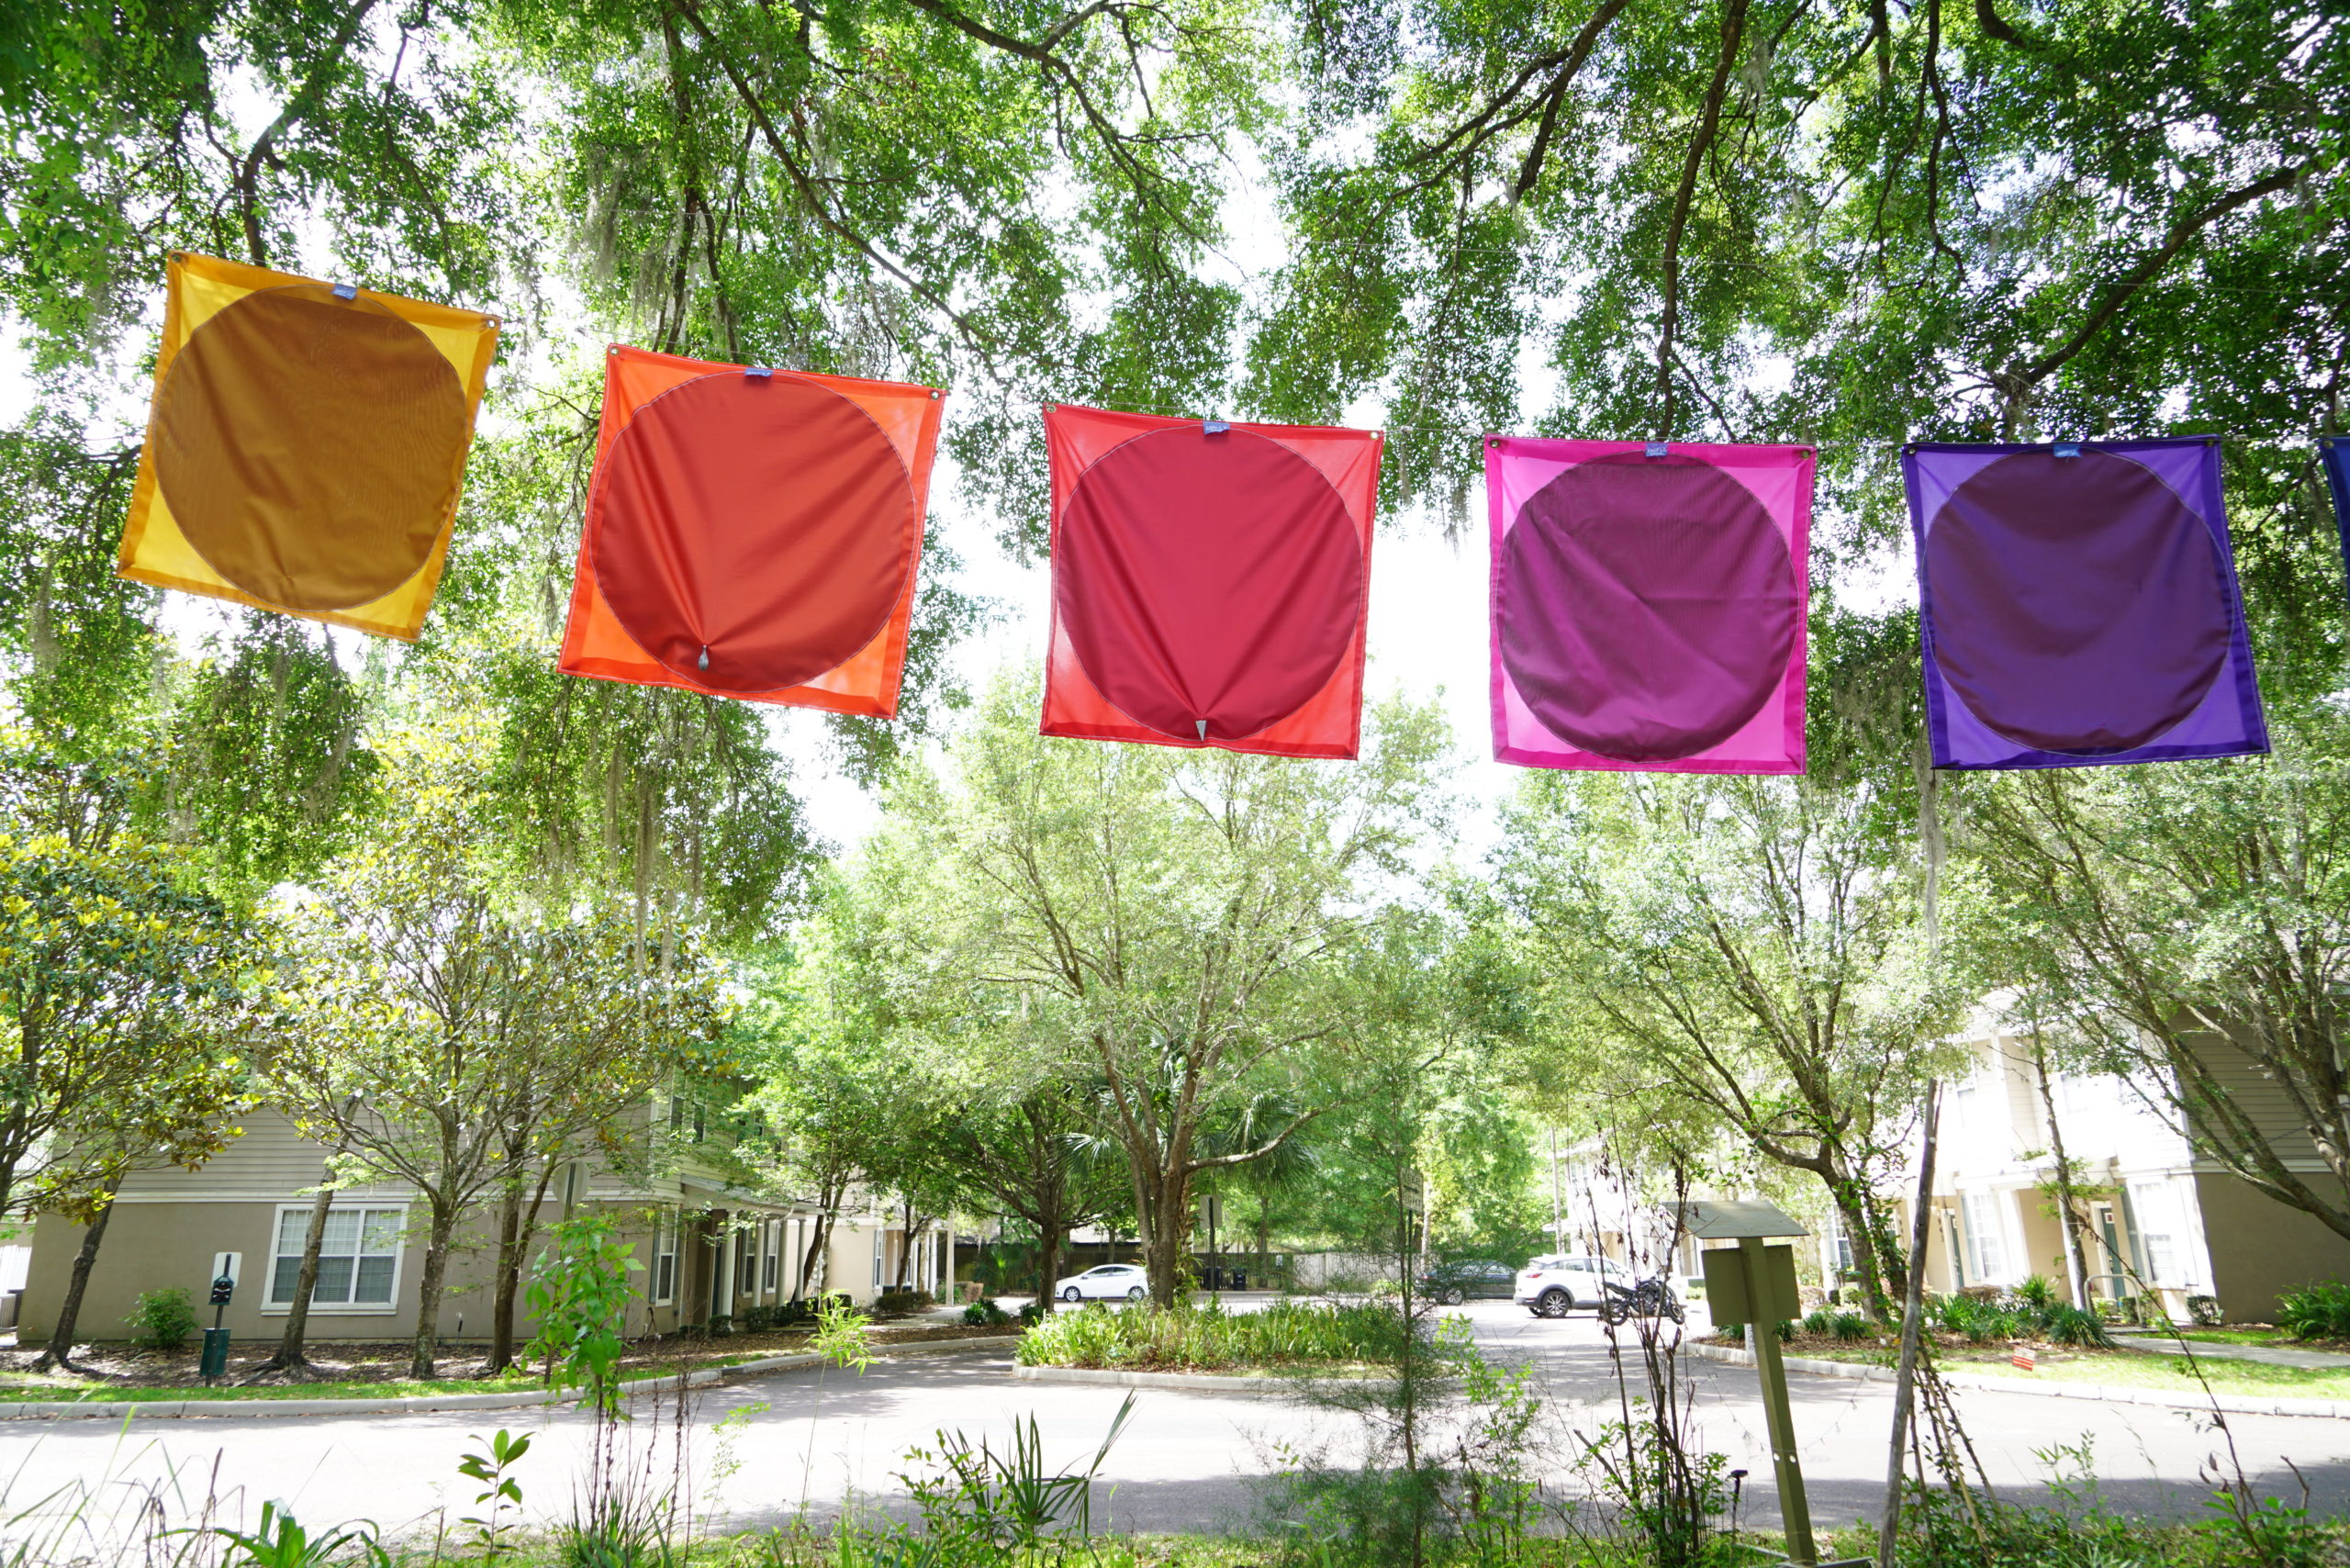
(753, 532)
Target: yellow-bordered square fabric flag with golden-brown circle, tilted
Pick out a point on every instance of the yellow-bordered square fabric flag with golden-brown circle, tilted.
(307, 445)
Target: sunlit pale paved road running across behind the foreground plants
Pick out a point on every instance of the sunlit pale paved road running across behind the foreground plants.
(1186, 1463)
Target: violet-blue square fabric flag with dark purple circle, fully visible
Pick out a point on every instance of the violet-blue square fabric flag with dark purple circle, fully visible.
(2079, 605)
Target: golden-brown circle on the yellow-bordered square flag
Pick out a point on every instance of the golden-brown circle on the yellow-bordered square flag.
(309, 448)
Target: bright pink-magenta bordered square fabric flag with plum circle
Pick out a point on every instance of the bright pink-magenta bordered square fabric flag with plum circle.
(1649, 605)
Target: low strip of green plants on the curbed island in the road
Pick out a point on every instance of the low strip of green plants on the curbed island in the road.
(1202, 1336)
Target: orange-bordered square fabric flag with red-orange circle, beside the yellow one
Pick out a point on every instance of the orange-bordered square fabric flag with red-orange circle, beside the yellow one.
(753, 532)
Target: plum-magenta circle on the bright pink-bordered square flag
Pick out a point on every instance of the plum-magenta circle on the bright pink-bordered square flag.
(1646, 608)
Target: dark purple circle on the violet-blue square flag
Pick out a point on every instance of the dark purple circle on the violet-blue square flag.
(2076, 605)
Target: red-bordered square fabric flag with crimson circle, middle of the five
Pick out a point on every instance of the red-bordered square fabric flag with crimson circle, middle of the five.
(1209, 582)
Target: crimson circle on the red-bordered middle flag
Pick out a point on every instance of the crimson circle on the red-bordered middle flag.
(1207, 579)
